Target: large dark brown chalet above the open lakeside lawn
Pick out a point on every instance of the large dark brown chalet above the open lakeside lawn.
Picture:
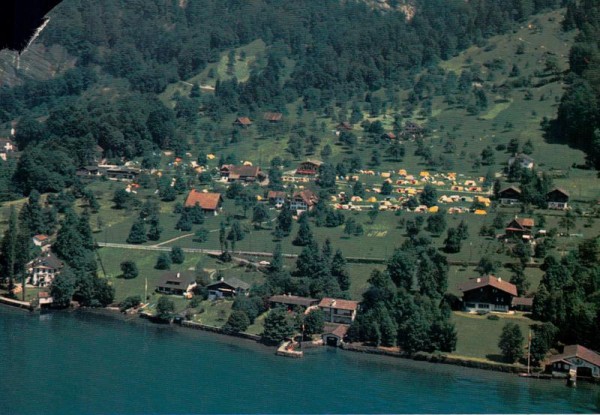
(487, 294)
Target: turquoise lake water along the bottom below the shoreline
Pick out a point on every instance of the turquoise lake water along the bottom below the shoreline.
(81, 363)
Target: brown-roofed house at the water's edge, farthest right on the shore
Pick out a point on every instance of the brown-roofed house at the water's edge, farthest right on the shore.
(585, 361)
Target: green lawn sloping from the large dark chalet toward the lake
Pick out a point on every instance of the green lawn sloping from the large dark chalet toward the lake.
(478, 336)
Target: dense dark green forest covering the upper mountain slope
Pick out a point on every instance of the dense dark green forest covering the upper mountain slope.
(135, 49)
